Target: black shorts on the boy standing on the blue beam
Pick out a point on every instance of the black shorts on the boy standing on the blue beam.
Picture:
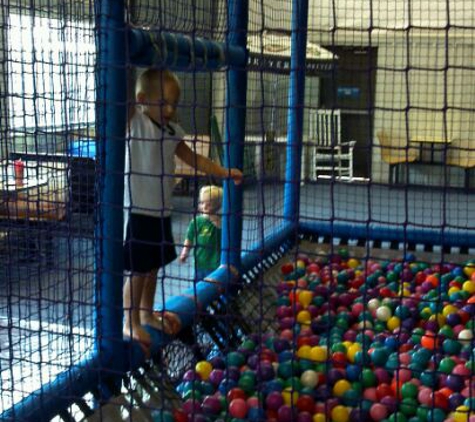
(149, 243)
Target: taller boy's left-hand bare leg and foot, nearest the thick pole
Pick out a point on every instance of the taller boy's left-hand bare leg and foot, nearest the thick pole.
(133, 292)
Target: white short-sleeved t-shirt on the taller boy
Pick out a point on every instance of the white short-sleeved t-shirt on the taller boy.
(150, 166)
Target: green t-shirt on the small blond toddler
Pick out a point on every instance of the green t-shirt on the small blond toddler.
(206, 239)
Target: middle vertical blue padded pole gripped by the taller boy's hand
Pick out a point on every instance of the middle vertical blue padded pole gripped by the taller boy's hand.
(234, 135)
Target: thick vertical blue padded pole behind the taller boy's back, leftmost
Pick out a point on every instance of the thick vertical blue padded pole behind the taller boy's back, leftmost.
(111, 123)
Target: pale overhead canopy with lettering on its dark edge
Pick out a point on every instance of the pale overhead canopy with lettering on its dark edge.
(272, 51)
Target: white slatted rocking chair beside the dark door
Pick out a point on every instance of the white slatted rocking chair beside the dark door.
(327, 151)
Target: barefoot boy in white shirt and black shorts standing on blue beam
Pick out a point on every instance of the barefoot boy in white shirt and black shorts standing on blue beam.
(149, 178)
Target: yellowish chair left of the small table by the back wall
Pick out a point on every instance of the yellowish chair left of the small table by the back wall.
(395, 150)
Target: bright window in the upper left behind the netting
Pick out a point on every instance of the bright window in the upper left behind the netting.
(51, 72)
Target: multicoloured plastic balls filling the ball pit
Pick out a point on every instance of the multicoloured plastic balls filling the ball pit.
(357, 340)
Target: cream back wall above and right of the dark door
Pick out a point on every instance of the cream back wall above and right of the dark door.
(425, 79)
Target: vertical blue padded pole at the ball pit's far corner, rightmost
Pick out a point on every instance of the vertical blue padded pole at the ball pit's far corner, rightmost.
(296, 107)
